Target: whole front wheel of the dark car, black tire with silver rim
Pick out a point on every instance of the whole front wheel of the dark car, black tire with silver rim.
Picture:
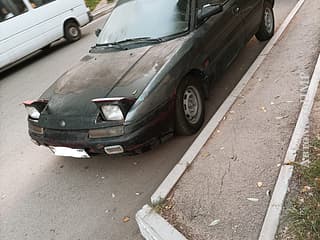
(190, 91)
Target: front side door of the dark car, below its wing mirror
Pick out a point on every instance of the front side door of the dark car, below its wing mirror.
(221, 36)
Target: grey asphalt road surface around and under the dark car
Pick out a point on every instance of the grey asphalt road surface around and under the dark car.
(48, 197)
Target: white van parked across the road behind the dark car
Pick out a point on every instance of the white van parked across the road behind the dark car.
(29, 25)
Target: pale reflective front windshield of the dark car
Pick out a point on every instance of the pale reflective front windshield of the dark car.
(145, 20)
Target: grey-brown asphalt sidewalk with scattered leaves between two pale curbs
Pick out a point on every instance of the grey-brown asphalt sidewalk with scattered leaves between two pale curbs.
(226, 191)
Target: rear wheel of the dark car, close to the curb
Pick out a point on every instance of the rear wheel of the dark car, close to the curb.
(266, 29)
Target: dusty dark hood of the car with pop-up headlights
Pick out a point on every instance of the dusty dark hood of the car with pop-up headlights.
(112, 74)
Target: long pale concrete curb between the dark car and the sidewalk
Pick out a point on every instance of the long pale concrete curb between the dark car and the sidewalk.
(166, 186)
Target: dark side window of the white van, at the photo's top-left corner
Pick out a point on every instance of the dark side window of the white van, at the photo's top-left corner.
(11, 8)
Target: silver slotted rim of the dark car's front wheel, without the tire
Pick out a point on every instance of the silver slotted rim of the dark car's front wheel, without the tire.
(192, 106)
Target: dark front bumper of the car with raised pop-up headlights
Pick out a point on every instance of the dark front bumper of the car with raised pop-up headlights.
(150, 132)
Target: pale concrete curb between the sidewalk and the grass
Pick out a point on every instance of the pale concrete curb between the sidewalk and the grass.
(272, 219)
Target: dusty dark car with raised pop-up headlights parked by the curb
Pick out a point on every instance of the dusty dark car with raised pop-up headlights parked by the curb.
(147, 76)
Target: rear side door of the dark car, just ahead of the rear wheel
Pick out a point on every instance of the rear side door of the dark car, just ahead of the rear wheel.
(252, 13)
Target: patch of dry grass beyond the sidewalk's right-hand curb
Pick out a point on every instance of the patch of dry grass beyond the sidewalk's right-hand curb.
(304, 212)
